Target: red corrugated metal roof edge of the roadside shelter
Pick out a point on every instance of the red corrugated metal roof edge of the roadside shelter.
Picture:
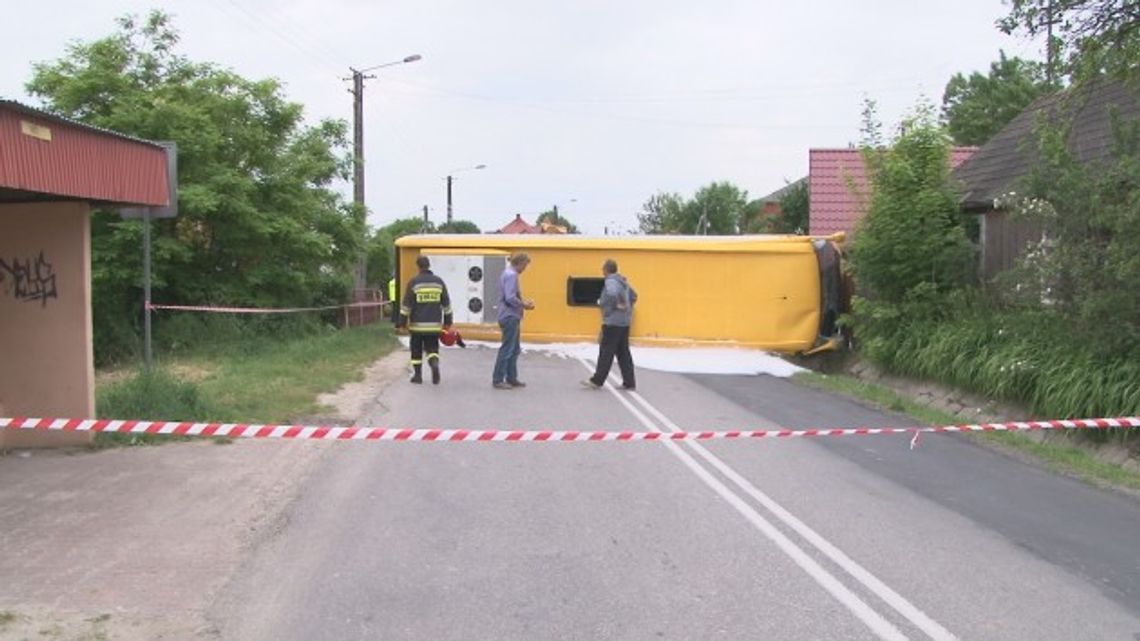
(47, 155)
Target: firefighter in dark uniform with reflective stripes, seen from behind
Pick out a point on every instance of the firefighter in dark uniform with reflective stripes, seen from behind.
(426, 312)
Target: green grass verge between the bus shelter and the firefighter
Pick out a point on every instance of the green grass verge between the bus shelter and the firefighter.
(255, 380)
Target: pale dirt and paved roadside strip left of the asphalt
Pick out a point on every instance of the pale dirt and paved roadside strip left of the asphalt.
(136, 543)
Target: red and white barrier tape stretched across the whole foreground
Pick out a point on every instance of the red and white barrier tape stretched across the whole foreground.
(527, 436)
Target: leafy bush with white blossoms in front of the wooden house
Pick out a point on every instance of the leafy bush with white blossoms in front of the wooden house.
(1087, 267)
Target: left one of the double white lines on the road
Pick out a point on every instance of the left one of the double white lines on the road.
(880, 626)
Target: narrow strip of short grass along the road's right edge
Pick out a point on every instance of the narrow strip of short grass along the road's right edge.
(1062, 458)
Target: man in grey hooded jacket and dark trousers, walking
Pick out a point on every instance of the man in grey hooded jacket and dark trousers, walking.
(617, 304)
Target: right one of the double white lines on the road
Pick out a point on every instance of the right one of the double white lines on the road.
(930, 627)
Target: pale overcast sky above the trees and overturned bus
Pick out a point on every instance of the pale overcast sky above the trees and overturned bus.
(593, 106)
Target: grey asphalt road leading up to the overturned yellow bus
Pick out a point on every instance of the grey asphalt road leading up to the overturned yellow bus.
(856, 538)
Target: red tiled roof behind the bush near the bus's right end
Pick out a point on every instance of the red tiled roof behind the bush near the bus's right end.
(838, 192)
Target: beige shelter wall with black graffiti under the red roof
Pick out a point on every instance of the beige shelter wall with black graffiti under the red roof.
(46, 360)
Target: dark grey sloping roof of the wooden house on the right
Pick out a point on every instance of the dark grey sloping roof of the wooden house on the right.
(1008, 157)
